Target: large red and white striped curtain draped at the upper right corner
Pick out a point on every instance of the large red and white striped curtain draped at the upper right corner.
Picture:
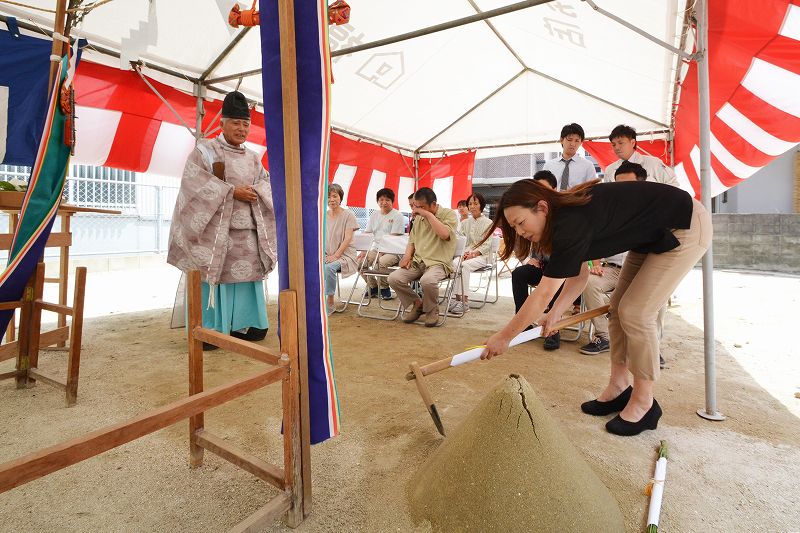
(754, 70)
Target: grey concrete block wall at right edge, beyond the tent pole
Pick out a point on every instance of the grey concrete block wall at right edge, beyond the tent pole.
(757, 242)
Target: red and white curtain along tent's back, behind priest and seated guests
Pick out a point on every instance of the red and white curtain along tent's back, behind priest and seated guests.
(122, 124)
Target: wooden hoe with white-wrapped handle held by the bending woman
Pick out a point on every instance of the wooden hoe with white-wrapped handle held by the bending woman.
(418, 372)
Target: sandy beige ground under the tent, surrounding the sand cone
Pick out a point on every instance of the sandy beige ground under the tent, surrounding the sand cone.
(736, 475)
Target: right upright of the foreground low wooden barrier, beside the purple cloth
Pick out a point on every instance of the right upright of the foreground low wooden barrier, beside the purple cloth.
(292, 443)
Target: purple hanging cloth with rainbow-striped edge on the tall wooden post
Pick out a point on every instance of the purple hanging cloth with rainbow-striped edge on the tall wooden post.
(313, 88)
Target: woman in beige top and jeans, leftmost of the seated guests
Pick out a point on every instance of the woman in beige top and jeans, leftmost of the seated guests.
(340, 254)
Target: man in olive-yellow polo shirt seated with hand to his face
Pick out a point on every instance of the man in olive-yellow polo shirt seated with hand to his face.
(428, 258)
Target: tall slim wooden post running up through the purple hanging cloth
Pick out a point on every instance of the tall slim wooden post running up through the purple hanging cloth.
(294, 224)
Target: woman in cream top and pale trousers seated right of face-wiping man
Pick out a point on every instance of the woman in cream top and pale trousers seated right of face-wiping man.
(477, 251)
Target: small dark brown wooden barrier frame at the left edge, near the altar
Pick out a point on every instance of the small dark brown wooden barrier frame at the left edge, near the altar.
(31, 339)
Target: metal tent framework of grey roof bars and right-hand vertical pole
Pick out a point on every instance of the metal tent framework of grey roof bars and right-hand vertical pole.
(205, 82)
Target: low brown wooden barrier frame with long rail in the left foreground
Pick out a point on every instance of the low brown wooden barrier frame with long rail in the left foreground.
(285, 369)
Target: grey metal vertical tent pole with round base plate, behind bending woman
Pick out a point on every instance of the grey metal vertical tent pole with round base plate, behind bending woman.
(704, 107)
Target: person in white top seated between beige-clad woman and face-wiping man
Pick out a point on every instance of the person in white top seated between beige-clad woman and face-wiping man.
(386, 221)
